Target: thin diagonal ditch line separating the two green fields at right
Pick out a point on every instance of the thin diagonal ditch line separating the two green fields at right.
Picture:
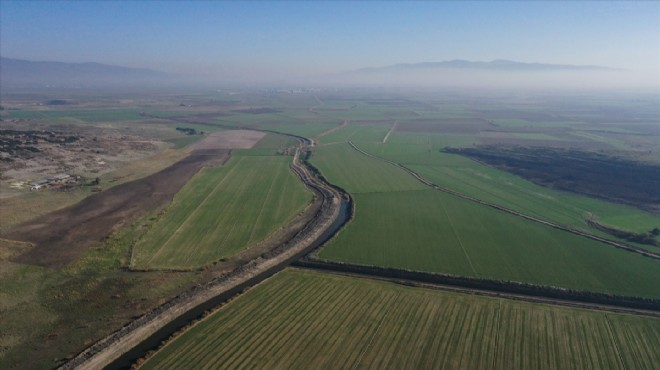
(571, 230)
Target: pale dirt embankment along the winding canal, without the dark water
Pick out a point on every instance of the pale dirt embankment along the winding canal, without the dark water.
(109, 349)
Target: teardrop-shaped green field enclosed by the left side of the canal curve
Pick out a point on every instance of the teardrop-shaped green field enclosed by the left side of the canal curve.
(223, 210)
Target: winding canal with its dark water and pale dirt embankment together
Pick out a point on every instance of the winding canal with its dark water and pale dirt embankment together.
(122, 348)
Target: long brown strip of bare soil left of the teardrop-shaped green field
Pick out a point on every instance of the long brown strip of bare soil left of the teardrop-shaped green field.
(61, 236)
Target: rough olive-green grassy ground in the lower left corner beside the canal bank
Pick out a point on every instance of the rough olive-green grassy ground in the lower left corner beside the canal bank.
(51, 315)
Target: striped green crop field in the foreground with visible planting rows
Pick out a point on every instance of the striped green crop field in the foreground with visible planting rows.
(301, 319)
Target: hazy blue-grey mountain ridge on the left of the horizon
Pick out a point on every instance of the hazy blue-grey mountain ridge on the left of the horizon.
(25, 73)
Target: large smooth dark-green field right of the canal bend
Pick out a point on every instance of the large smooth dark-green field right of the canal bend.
(432, 231)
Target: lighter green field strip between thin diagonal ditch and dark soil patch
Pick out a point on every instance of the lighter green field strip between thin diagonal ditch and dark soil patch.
(483, 182)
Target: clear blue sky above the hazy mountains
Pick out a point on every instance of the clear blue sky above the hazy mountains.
(289, 39)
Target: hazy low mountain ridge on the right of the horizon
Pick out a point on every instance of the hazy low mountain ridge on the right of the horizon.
(495, 65)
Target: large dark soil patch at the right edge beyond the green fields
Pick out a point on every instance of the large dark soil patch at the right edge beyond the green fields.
(583, 172)
